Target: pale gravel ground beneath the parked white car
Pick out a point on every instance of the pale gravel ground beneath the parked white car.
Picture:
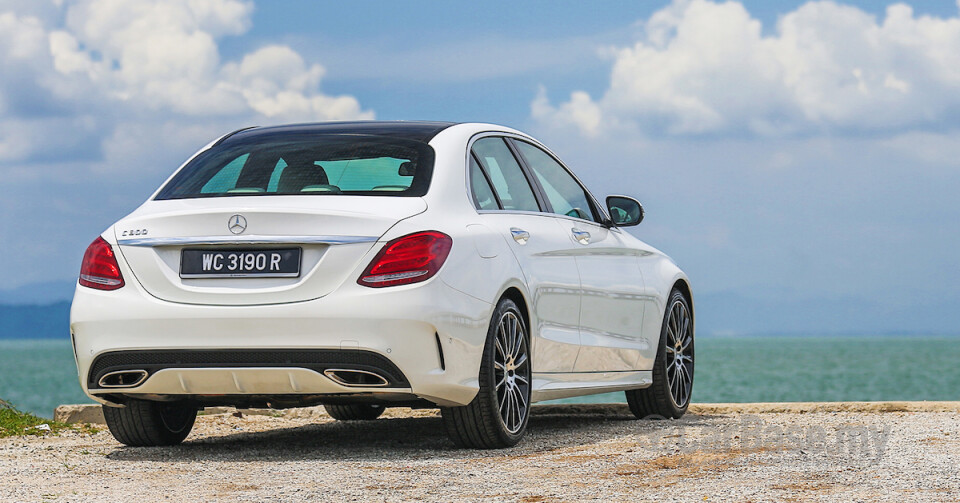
(570, 454)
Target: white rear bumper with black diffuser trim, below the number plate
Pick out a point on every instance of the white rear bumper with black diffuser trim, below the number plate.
(284, 349)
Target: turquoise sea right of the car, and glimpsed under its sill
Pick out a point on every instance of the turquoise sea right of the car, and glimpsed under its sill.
(821, 369)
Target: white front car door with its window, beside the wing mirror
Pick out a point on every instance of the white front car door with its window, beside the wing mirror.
(612, 285)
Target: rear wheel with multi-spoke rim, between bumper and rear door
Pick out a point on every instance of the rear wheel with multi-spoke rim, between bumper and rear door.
(498, 416)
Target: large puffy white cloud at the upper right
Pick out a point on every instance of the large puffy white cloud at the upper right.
(702, 67)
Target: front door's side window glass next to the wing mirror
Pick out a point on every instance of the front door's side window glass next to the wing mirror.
(564, 193)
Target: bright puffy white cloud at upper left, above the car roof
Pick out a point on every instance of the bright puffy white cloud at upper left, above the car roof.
(164, 55)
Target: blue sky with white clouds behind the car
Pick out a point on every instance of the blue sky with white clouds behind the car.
(799, 159)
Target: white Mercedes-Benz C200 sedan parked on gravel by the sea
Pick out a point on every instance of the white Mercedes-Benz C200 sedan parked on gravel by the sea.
(365, 265)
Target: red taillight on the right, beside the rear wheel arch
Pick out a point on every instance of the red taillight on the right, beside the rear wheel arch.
(408, 259)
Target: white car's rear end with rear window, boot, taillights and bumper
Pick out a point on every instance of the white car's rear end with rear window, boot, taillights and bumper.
(281, 267)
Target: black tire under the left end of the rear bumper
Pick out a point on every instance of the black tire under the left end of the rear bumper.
(144, 423)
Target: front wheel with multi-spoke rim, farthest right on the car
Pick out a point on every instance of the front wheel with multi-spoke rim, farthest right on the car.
(669, 395)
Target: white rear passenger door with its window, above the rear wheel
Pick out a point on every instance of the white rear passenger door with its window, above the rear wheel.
(506, 202)
